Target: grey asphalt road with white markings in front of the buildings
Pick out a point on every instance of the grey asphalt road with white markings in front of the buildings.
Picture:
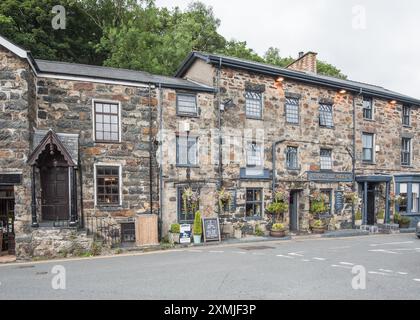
(298, 269)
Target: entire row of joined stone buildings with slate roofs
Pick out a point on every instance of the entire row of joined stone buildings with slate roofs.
(86, 149)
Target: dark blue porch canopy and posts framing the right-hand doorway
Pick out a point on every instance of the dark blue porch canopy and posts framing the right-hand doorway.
(375, 179)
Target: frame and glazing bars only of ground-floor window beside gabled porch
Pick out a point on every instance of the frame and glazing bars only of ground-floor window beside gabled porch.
(102, 196)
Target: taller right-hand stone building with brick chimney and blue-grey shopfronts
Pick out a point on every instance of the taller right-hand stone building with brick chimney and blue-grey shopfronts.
(309, 134)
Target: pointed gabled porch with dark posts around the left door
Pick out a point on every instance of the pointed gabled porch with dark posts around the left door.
(58, 180)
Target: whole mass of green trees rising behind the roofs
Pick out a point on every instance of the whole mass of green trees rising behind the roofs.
(127, 34)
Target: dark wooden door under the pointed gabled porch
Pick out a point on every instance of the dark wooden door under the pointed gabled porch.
(55, 193)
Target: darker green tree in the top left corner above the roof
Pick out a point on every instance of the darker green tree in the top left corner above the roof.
(28, 24)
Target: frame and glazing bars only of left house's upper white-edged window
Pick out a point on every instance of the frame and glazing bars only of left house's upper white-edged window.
(109, 114)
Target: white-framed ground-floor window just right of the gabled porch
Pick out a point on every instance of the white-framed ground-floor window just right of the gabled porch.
(108, 184)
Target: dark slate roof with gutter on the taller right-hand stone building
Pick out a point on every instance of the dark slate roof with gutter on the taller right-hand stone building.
(257, 67)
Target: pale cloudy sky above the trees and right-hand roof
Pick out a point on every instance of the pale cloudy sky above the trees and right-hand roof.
(372, 41)
